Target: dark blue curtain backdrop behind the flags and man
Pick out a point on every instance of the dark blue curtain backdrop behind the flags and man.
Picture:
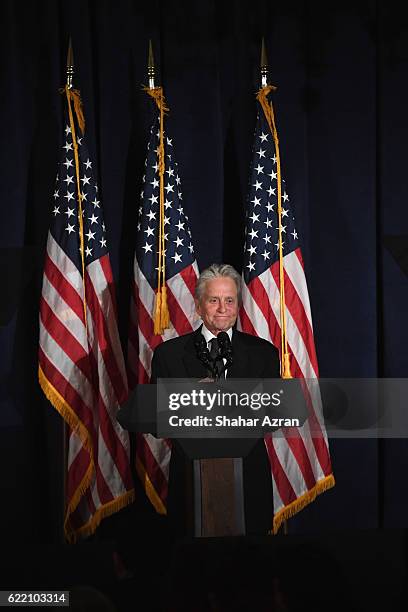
(341, 107)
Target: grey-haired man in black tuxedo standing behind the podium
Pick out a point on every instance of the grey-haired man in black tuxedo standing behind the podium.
(217, 299)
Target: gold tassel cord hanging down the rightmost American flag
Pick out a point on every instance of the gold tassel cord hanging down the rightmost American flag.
(267, 108)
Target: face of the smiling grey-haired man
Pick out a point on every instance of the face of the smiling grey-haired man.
(218, 306)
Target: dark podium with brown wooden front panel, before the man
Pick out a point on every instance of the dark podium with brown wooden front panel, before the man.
(214, 487)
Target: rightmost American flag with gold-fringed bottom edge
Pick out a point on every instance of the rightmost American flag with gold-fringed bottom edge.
(300, 464)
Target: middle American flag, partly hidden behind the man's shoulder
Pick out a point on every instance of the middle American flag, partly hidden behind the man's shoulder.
(153, 454)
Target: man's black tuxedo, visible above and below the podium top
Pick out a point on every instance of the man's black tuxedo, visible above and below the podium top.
(252, 358)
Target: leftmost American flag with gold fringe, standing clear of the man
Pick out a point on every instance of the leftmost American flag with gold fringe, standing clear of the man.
(81, 365)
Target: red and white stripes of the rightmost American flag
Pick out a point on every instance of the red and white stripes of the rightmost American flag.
(300, 464)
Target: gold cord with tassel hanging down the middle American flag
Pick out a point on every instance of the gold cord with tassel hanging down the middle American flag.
(161, 310)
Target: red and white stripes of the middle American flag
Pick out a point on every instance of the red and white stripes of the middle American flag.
(153, 454)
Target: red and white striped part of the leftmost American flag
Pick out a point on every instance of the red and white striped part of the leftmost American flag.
(82, 372)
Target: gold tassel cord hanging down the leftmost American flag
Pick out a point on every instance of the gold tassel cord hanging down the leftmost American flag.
(74, 96)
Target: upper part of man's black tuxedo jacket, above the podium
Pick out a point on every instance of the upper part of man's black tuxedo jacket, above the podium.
(252, 358)
